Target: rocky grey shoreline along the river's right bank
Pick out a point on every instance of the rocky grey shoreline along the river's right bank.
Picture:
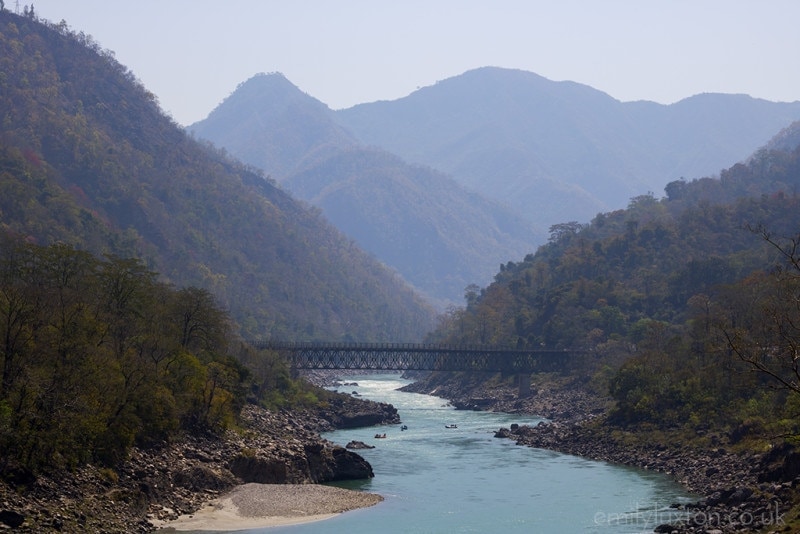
(737, 491)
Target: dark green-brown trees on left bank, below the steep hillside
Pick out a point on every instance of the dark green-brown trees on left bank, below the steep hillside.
(98, 355)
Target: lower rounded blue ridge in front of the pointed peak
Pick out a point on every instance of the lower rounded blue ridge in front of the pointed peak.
(437, 234)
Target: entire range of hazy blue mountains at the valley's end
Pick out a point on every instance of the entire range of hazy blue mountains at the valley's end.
(499, 145)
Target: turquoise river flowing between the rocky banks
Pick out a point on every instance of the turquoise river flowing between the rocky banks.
(464, 480)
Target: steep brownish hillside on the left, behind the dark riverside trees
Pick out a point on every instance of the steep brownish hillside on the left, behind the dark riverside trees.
(88, 158)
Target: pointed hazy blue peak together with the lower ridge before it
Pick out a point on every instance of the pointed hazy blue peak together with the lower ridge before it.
(439, 235)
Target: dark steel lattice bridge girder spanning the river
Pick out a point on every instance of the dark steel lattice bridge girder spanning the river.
(418, 357)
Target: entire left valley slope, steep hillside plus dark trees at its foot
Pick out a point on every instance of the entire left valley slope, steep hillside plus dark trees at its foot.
(133, 261)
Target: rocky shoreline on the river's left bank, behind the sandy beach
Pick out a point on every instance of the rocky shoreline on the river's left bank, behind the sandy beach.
(164, 482)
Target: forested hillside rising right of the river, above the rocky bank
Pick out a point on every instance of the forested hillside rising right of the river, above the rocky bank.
(677, 300)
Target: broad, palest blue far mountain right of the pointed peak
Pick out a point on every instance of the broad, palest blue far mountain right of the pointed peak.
(560, 151)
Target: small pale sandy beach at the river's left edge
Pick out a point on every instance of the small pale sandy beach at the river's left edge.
(265, 505)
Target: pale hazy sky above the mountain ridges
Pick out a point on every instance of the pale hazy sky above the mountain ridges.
(193, 53)
